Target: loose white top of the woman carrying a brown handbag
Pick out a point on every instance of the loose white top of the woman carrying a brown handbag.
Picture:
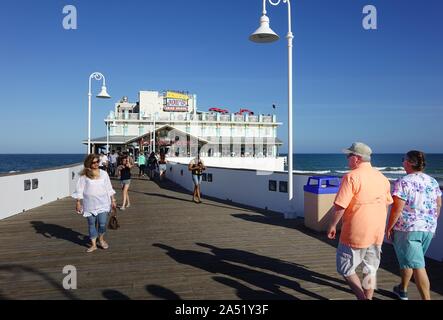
(96, 194)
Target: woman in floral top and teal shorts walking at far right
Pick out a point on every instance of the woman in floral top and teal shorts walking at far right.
(412, 223)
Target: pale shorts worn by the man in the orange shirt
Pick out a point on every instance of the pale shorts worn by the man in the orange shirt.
(348, 259)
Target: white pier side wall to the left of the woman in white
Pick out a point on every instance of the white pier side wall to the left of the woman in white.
(52, 185)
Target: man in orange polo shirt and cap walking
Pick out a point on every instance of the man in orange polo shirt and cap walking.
(362, 201)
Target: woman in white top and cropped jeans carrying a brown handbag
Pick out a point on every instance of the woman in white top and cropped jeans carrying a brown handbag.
(94, 189)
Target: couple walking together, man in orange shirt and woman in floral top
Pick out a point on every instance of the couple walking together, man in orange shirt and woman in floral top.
(362, 204)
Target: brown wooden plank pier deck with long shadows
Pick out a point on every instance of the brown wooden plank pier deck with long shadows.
(171, 248)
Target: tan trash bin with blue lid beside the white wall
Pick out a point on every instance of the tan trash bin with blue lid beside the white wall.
(319, 196)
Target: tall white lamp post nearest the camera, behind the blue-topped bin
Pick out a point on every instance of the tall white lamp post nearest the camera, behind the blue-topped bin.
(264, 34)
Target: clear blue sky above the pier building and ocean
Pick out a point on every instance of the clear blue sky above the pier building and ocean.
(383, 87)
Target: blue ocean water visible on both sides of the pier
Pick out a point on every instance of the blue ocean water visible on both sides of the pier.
(312, 164)
